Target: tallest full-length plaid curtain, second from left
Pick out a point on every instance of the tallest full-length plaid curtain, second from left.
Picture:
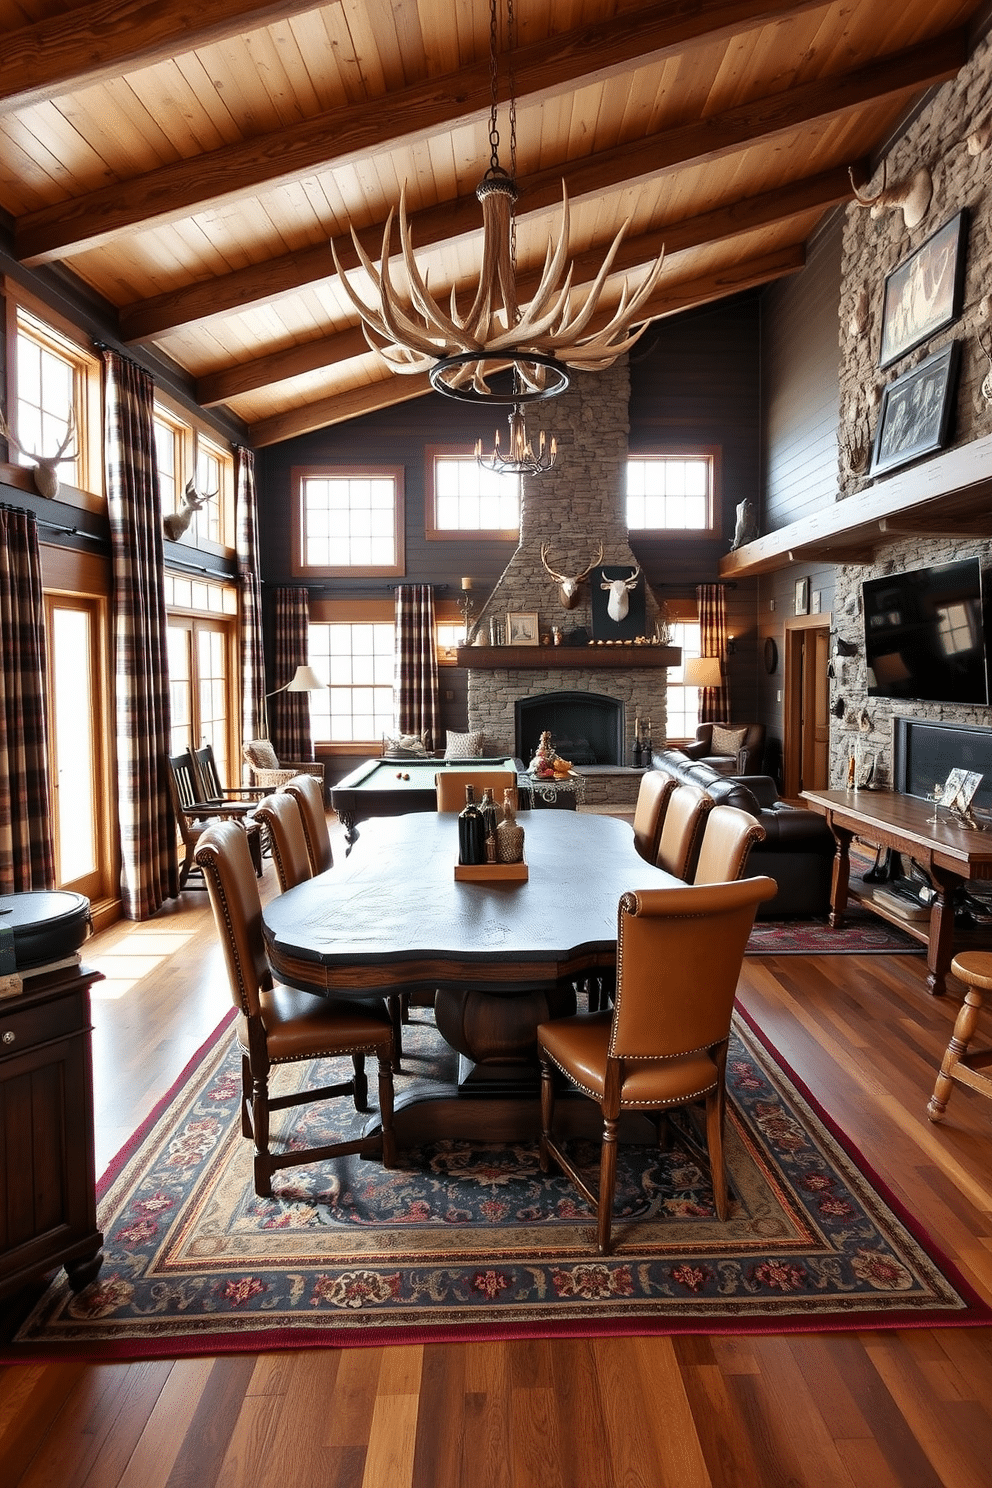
(148, 831)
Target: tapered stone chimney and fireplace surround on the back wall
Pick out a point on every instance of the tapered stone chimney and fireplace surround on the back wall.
(573, 510)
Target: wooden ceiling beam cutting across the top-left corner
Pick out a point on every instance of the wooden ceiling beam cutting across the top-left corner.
(105, 38)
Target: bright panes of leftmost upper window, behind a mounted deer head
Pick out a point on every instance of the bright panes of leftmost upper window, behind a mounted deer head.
(56, 382)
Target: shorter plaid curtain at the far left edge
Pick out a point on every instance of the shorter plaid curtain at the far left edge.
(28, 853)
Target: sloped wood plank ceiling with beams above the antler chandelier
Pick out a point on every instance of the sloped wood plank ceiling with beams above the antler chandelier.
(193, 163)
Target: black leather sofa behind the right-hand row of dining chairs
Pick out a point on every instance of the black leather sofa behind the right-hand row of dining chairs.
(798, 850)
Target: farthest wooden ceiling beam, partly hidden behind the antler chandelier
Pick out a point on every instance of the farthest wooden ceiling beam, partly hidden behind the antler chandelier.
(669, 301)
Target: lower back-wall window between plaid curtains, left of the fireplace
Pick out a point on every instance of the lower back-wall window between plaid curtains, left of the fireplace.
(358, 660)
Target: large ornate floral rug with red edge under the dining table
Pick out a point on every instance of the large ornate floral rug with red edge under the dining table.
(474, 1242)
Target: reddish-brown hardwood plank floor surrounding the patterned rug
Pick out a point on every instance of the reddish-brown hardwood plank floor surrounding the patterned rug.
(889, 1410)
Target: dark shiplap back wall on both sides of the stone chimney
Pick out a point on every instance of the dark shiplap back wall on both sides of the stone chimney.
(695, 379)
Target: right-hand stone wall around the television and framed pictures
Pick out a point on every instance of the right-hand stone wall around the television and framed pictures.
(872, 249)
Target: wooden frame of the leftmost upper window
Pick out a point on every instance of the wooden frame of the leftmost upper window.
(26, 315)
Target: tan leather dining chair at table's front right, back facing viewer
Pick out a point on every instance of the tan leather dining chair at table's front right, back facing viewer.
(666, 1042)
